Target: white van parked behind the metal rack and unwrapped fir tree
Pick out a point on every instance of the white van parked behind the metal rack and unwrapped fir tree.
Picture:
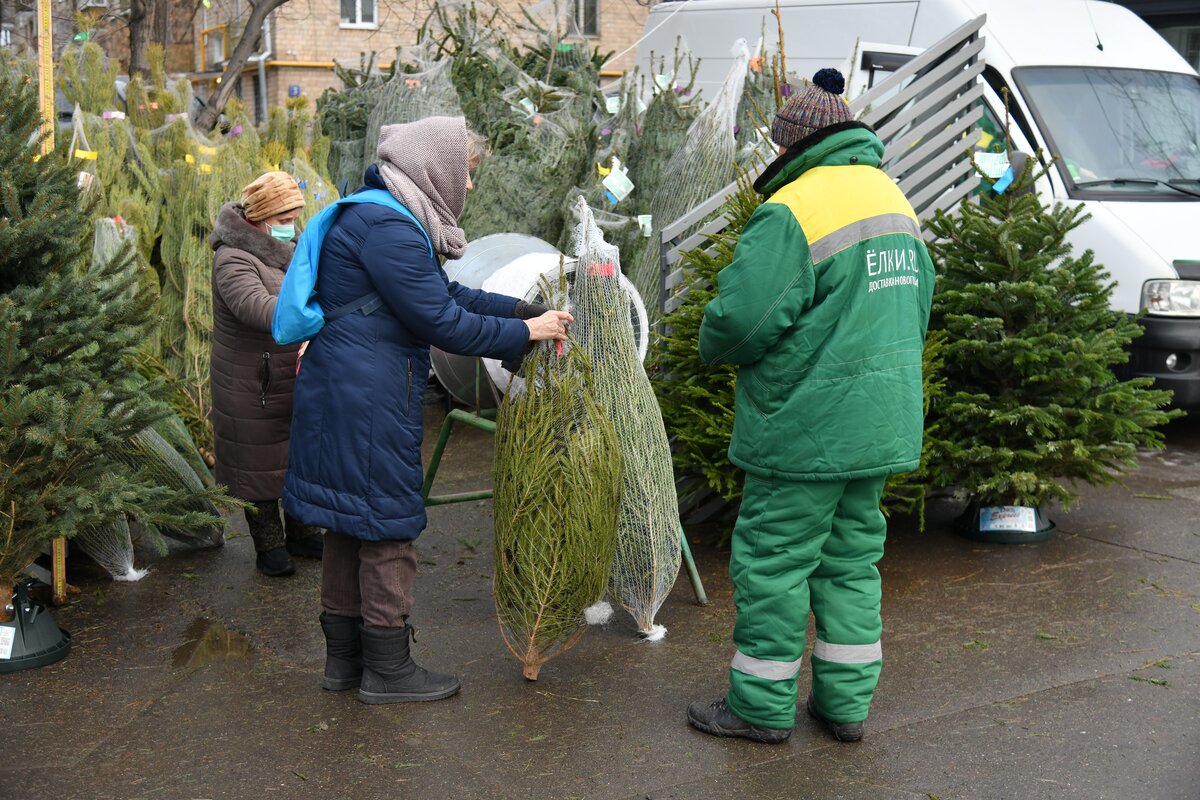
(1089, 82)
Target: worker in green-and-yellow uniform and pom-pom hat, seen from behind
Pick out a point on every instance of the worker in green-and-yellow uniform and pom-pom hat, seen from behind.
(825, 310)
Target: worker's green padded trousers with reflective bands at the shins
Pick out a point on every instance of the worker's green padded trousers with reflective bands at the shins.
(800, 546)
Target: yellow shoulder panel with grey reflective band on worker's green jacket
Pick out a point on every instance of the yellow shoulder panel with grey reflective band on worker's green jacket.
(841, 207)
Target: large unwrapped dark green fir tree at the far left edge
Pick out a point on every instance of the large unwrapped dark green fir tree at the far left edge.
(71, 405)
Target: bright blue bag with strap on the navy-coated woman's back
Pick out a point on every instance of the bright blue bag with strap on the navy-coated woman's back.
(298, 315)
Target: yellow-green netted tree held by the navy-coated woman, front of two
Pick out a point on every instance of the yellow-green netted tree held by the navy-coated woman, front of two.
(557, 484)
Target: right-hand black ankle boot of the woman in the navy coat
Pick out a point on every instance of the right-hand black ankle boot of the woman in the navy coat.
(389, 673)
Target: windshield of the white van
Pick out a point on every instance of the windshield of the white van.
(1130, 134)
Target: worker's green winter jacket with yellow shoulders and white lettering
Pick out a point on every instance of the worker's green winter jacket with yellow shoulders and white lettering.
(825, 308)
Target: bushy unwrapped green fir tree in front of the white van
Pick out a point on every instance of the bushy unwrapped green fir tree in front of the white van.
(1031, 344)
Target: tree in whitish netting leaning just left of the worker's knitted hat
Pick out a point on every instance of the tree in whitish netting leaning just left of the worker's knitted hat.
(698, 170)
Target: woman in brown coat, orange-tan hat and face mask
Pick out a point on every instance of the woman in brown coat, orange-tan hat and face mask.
(253, 377)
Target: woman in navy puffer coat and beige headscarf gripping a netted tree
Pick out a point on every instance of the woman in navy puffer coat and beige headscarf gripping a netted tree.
(356, 453)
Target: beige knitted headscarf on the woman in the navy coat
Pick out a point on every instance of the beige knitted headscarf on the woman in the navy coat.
(425, 167)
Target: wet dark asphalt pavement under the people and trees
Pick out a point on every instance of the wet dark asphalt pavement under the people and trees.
(1063, 670)
